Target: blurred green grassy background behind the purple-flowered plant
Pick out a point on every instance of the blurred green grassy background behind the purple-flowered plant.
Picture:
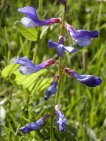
(84, 108)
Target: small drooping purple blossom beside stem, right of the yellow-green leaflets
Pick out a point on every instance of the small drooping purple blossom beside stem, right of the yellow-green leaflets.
(52, 89)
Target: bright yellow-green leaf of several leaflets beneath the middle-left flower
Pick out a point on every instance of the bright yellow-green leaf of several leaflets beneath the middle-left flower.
(33, 82)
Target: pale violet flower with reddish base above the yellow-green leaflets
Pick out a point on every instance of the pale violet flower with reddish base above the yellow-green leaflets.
(27, 67)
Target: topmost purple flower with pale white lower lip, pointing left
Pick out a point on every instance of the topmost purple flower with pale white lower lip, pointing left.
(31, 19)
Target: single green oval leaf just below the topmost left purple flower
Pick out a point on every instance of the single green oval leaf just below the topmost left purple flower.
(28, 33)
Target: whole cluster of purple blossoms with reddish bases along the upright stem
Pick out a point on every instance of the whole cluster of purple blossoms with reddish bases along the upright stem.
(81, 37)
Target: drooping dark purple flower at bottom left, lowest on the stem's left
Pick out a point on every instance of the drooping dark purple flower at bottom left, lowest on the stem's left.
(33, 125)
